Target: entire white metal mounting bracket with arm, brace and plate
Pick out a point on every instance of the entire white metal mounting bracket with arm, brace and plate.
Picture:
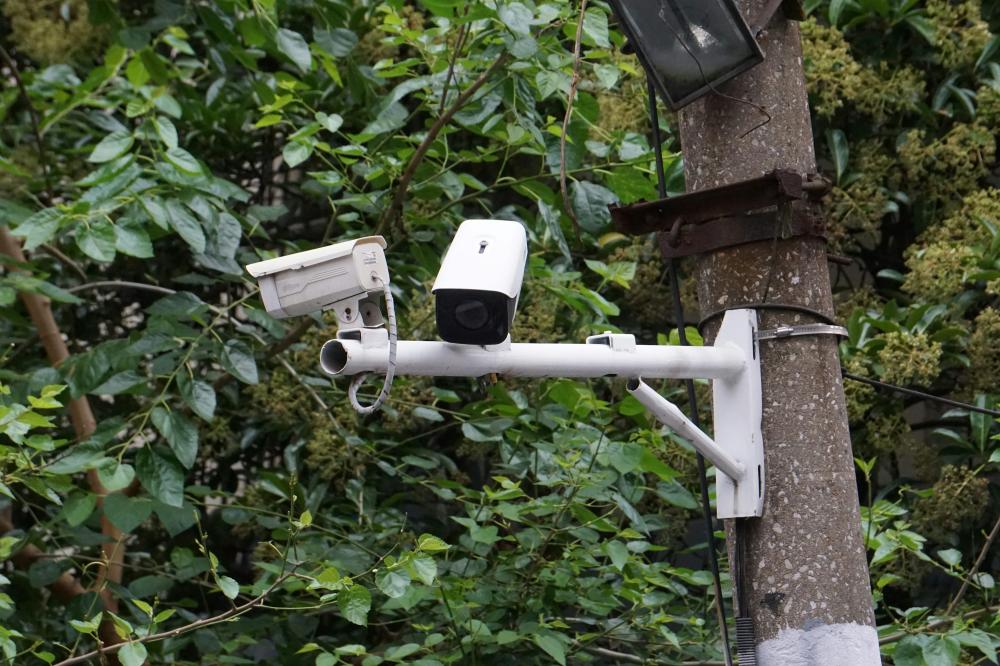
(733, 364)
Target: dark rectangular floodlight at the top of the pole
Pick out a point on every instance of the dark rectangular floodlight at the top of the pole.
(688, 46)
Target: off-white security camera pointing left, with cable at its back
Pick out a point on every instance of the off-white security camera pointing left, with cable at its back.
(347, 277)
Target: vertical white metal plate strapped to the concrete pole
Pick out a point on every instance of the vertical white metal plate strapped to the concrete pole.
(737, 409)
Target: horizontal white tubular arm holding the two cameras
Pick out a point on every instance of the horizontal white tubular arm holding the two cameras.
(356, 351)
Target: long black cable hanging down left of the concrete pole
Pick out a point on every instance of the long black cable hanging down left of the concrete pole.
(713, 555)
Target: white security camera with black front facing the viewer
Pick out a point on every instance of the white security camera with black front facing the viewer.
(477, 288)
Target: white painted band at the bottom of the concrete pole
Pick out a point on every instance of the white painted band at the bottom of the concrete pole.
(822, 645)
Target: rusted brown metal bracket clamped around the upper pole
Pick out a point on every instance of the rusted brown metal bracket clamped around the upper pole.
(778, 205)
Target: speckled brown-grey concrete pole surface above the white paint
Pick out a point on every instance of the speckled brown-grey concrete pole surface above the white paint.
(806, 565)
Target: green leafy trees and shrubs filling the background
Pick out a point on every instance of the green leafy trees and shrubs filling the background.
(225, 505)
